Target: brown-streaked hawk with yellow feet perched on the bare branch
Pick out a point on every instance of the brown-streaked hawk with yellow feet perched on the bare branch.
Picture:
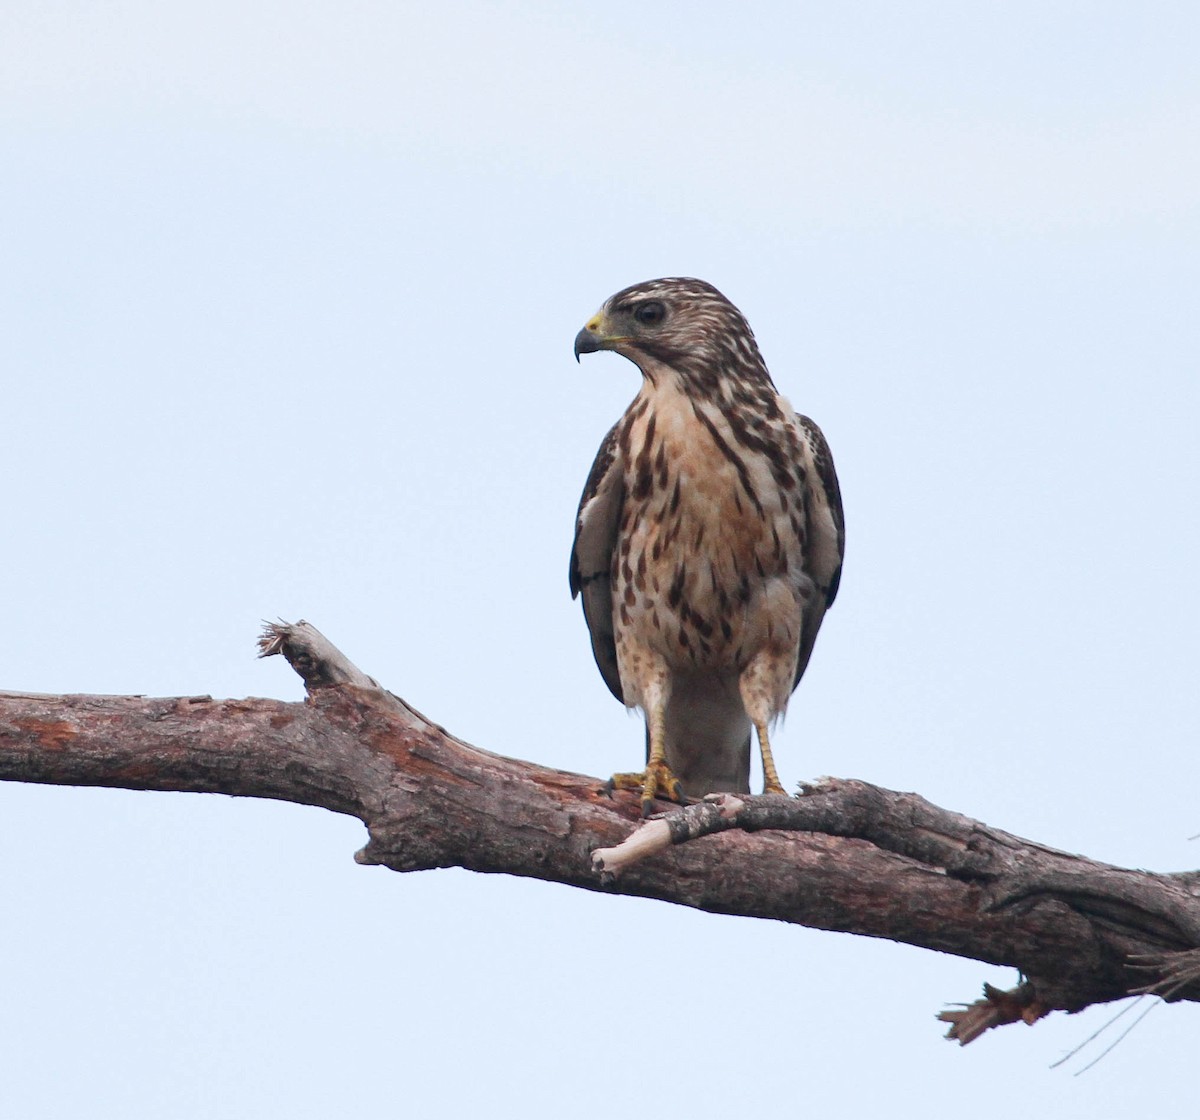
(709, 542)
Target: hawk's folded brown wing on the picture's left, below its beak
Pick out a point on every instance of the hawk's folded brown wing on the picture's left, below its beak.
(596, 538)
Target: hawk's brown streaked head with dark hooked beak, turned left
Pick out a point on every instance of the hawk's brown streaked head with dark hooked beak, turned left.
(681, 324)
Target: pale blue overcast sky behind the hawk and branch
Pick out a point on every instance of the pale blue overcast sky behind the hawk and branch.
(286, 326)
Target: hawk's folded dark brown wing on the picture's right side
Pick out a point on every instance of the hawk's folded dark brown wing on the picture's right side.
(826, 542)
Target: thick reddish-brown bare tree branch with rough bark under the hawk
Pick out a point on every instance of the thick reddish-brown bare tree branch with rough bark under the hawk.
(843, 857)
